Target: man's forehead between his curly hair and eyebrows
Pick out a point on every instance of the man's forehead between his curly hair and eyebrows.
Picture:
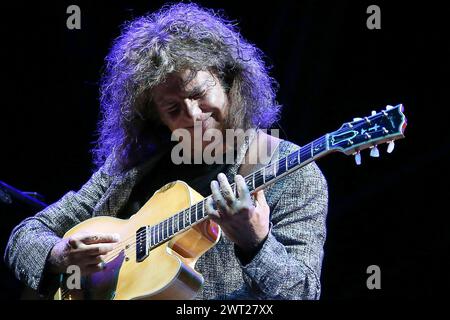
(182, 83)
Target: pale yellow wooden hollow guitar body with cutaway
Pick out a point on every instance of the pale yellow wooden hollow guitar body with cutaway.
(168, 270)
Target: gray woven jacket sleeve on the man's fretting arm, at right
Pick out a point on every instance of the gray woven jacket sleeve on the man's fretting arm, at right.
(288, 264)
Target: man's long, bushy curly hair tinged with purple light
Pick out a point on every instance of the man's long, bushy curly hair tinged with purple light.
(177, 37)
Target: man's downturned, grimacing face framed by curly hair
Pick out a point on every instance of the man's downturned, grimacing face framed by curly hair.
(201, 102)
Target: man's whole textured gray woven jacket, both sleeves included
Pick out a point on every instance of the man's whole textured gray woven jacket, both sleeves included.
(287, 266)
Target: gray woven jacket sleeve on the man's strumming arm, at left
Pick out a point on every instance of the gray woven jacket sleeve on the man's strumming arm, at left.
(32, 240)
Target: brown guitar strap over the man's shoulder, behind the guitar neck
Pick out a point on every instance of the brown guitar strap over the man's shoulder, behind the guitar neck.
(262, 149)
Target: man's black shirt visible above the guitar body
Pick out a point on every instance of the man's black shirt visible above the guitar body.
(197, 176)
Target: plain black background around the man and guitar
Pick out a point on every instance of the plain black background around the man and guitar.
(390, 212)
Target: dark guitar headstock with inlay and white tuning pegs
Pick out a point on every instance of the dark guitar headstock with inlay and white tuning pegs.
(368, 132)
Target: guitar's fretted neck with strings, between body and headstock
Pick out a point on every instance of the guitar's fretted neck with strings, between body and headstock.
(255, 181)
